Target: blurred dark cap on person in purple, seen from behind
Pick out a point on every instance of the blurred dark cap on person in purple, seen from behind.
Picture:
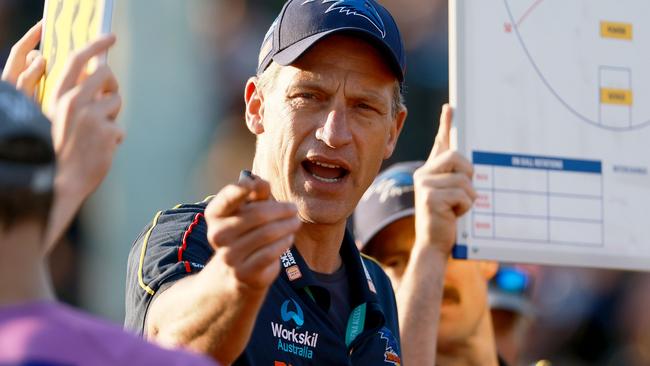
(27, 158)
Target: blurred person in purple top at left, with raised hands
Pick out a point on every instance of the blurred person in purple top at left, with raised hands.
(47, 170)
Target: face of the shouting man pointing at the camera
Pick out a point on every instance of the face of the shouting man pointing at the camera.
(324, 126)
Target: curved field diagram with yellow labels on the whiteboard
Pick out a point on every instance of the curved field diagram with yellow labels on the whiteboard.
(608, 59)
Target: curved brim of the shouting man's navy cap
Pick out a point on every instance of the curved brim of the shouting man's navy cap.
(290, 54)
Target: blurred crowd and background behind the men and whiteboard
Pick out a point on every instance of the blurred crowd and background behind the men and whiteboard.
(182, 66)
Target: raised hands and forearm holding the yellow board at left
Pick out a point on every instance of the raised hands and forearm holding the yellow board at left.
(83, 113)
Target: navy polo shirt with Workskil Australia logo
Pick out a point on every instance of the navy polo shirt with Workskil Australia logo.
(292, 327)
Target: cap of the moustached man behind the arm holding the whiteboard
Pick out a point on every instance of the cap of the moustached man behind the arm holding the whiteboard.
(389, 198)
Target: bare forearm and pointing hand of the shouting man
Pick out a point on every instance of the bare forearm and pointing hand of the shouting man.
(249, 232)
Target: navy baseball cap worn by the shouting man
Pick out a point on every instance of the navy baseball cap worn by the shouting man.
(302, 23)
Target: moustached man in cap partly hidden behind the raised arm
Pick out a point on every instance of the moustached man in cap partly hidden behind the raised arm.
(385, 229)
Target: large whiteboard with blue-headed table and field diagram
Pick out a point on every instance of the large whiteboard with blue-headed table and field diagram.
(552, 106)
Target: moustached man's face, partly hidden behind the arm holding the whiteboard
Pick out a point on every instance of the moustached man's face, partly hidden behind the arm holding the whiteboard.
(465, 287)
